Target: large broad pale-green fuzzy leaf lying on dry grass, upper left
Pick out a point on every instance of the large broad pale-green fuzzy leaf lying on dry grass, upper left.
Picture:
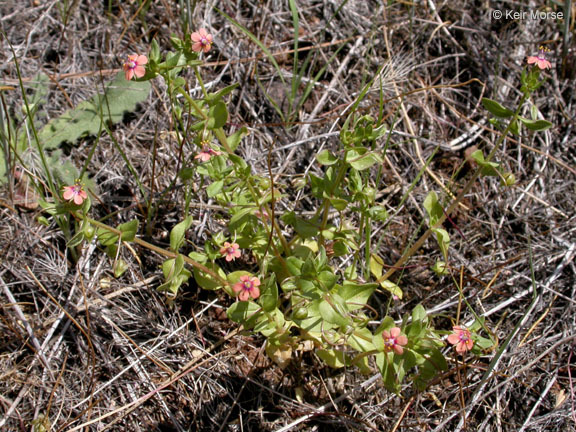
(87, 118)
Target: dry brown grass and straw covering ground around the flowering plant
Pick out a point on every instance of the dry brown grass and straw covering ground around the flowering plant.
(80, 350)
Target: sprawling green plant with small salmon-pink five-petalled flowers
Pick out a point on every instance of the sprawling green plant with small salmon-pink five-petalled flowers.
(293, 293)
